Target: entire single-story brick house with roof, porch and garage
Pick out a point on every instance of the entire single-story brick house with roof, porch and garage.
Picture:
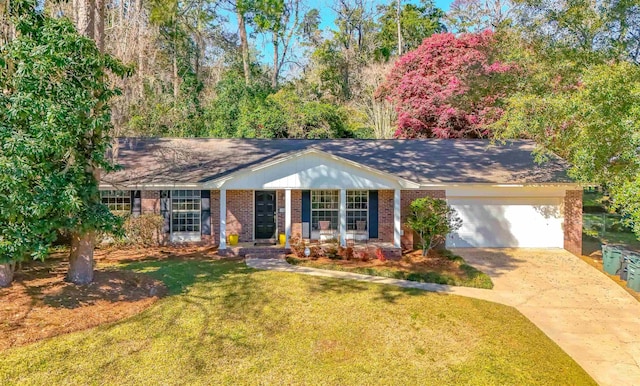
(207, 189)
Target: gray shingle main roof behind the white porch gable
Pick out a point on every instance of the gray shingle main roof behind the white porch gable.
(424, 161)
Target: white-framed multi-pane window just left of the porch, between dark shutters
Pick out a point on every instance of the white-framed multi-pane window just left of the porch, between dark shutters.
(185, 211)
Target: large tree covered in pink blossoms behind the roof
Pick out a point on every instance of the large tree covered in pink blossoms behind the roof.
(449, 87)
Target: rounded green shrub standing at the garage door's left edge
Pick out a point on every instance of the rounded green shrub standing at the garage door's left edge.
(432, 219)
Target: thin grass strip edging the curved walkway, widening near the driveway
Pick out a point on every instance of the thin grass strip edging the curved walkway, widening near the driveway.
(474, 277)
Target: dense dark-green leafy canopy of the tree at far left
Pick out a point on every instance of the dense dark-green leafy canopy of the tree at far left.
(54, 125)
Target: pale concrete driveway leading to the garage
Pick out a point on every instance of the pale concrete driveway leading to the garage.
(592, 318)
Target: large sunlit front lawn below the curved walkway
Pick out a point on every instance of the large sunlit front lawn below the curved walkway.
(227, 324)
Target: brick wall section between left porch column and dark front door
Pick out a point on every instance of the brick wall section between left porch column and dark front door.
(240, 213)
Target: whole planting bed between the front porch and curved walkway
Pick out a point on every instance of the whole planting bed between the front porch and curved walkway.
(440, 266)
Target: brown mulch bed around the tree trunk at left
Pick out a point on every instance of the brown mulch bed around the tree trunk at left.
(40, 304)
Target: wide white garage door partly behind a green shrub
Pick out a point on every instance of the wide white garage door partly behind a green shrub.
(508, 222)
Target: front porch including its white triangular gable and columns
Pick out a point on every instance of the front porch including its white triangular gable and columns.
(311, 195)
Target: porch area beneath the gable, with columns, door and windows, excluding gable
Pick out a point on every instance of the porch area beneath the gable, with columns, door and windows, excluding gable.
(346, 216)
